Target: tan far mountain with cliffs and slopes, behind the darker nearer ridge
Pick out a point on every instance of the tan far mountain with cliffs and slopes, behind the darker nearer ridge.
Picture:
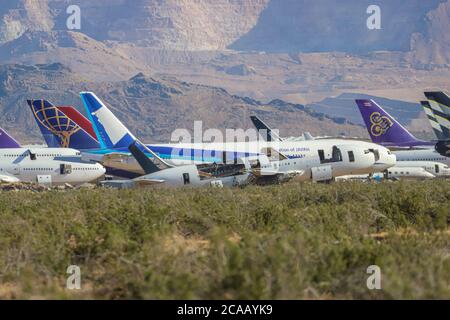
(299, 51)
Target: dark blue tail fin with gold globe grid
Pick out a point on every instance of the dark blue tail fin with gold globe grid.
(58, 130)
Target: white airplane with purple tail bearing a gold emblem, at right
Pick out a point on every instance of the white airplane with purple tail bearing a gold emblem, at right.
(384, 129)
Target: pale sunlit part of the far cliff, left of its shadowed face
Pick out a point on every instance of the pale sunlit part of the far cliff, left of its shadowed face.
(169, 24)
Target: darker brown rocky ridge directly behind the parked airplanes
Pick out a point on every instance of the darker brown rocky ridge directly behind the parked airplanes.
(152, 107)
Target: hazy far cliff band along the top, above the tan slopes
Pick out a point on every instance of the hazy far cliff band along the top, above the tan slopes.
(245, 25)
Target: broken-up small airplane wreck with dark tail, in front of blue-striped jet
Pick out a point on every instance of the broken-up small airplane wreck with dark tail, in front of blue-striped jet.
(259, 170)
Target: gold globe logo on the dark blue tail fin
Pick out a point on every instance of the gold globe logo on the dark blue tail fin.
(51, 118)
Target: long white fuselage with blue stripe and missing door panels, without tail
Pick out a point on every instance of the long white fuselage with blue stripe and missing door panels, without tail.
(357, 157)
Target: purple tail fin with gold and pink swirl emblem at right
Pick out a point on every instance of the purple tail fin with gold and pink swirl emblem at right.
(382, 127)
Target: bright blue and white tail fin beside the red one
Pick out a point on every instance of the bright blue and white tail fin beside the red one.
(109, 130)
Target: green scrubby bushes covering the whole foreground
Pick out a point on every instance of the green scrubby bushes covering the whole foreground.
(293, 241)
